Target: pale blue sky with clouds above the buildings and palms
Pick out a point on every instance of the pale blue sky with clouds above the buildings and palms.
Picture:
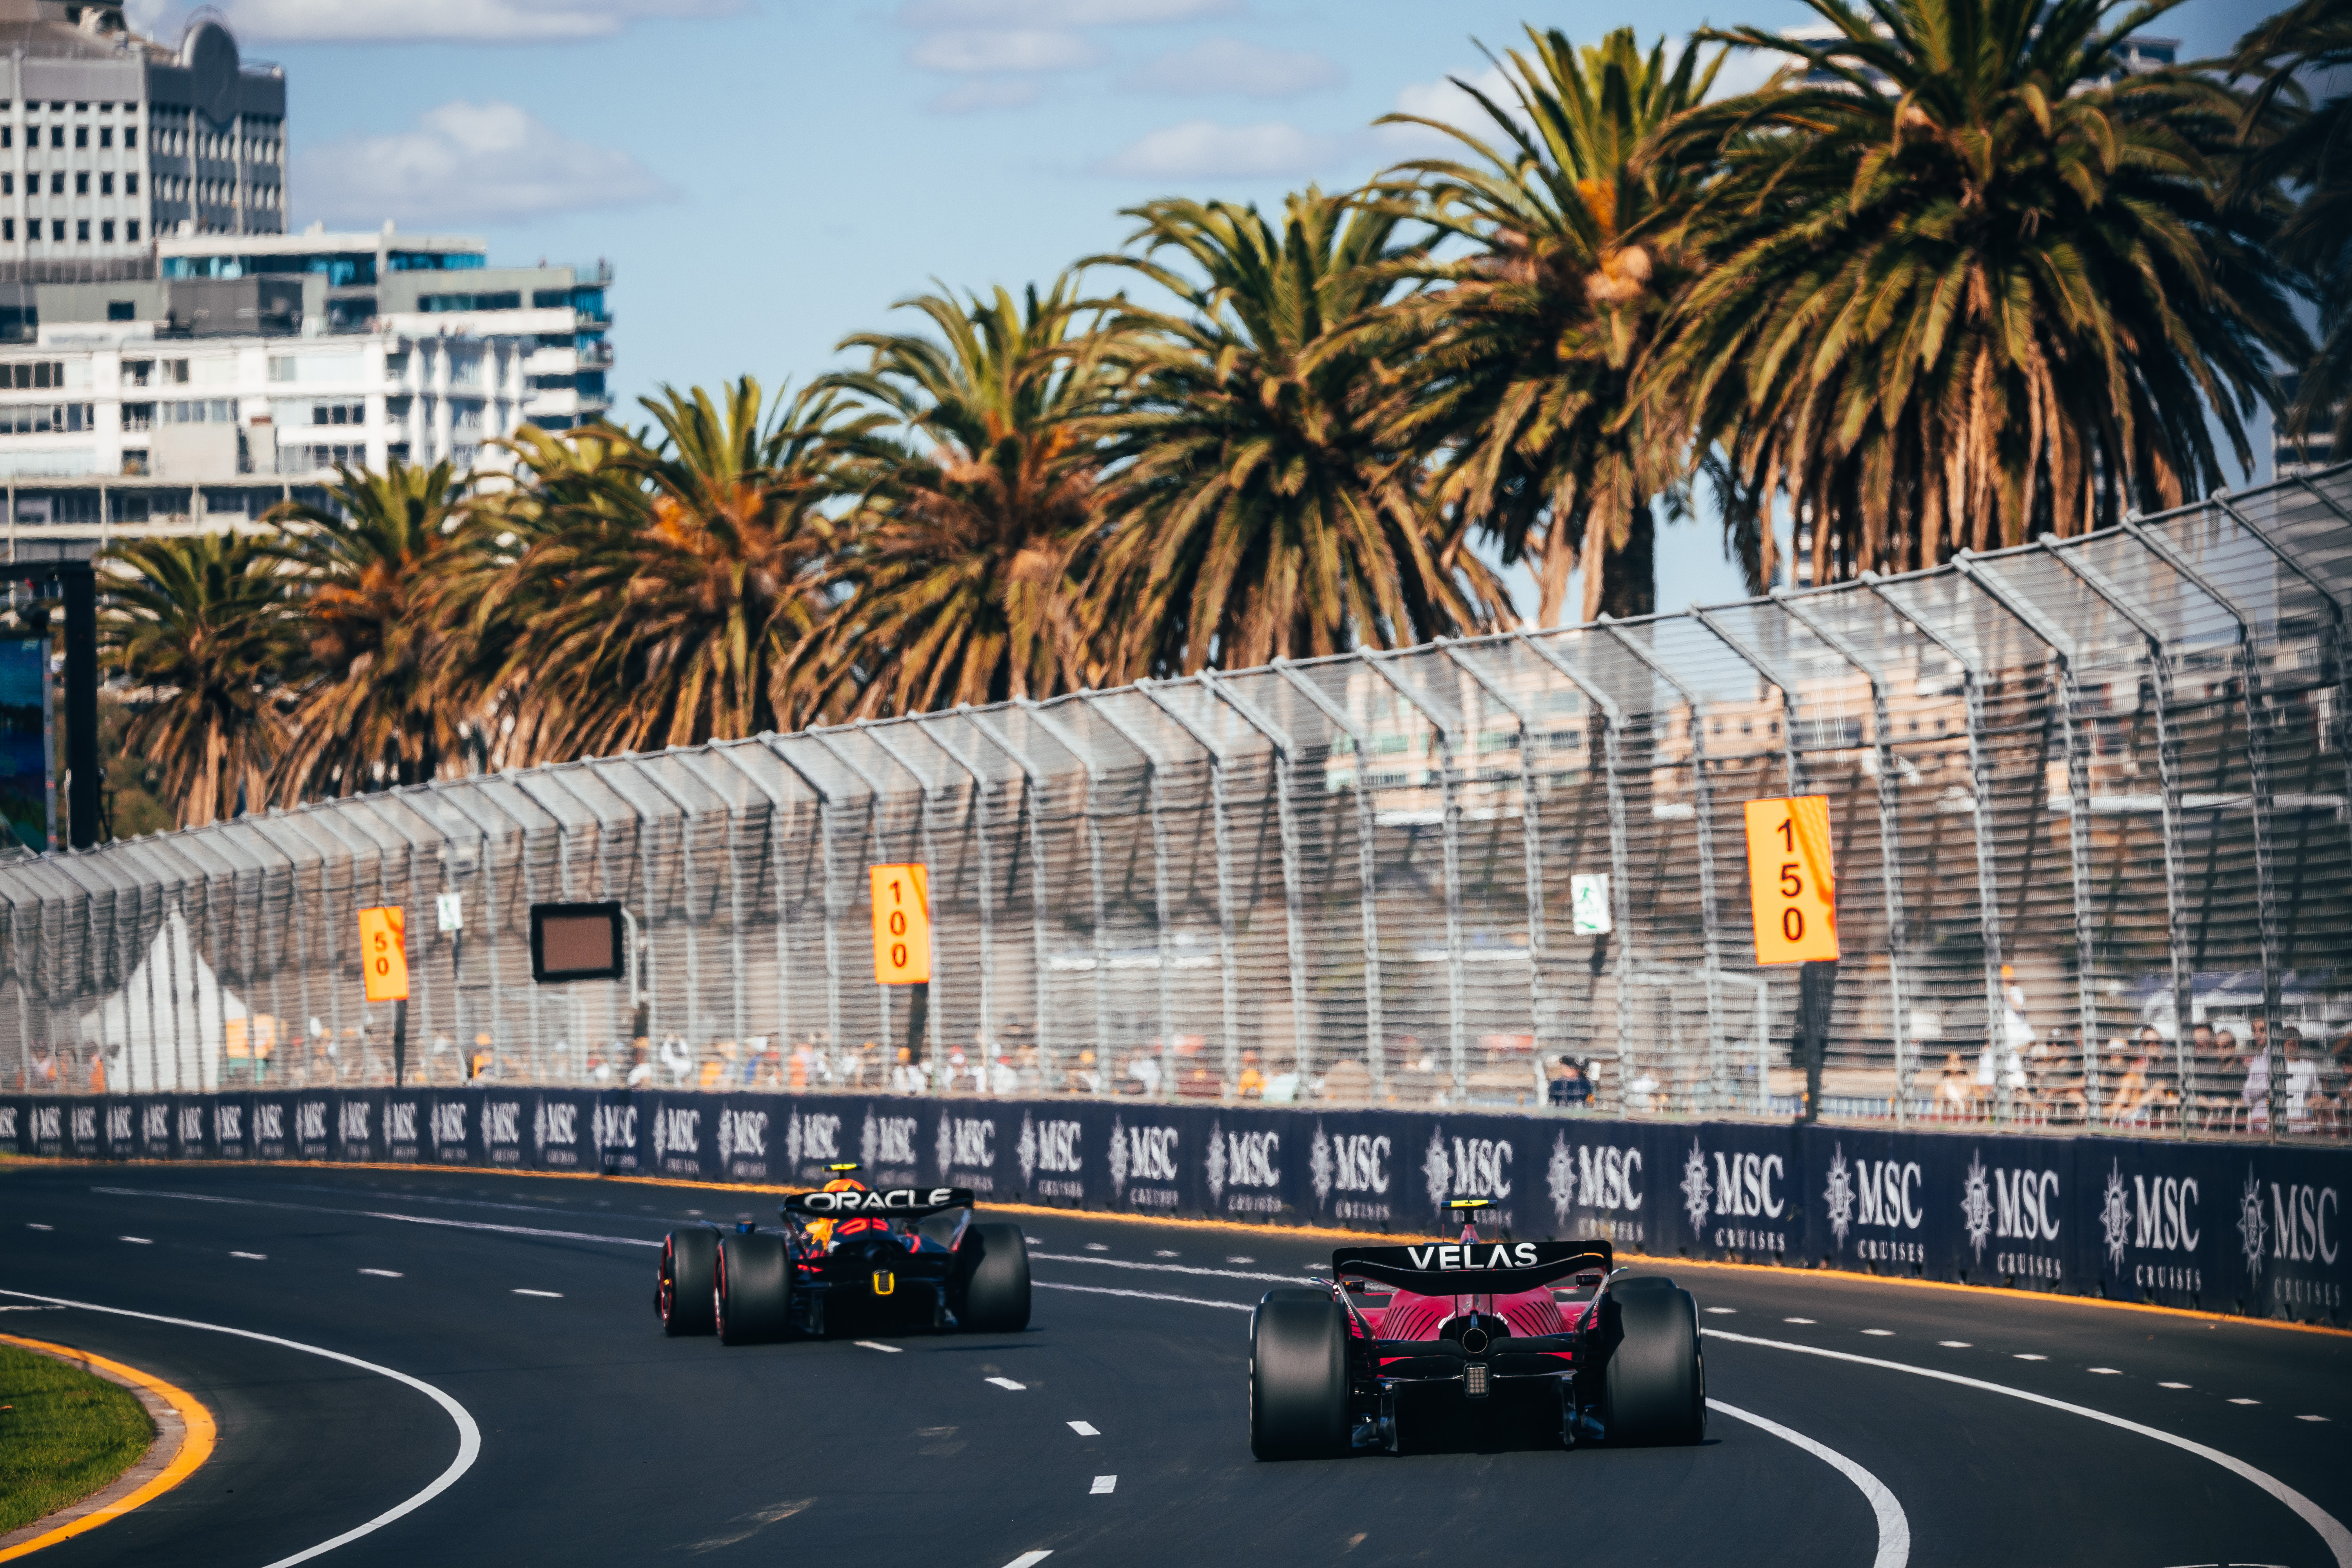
(773, 175)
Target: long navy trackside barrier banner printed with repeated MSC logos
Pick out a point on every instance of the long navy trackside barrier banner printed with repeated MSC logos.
(2233, 1228)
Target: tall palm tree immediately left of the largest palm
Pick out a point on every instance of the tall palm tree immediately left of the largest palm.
(1544, 323)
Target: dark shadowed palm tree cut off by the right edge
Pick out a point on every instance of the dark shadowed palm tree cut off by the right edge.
(2311, 149)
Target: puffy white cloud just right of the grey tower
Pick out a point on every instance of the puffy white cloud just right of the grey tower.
(467, 163)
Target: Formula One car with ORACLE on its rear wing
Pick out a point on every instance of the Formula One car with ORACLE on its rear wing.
(848, 1261)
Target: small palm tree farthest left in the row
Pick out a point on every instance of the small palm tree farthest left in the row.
(199, 624)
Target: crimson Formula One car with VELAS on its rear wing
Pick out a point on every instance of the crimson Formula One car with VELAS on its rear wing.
(1466, 1322)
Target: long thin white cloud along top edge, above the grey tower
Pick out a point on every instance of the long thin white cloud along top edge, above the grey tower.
(425, 20)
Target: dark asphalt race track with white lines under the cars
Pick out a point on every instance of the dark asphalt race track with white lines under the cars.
(1116, 1428)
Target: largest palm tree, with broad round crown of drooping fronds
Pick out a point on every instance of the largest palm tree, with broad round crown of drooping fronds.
(1975, 279)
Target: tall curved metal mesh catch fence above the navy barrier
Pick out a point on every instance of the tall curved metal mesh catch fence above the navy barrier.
(2090, 808)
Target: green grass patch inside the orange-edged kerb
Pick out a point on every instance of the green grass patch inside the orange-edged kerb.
(67, 1435)
